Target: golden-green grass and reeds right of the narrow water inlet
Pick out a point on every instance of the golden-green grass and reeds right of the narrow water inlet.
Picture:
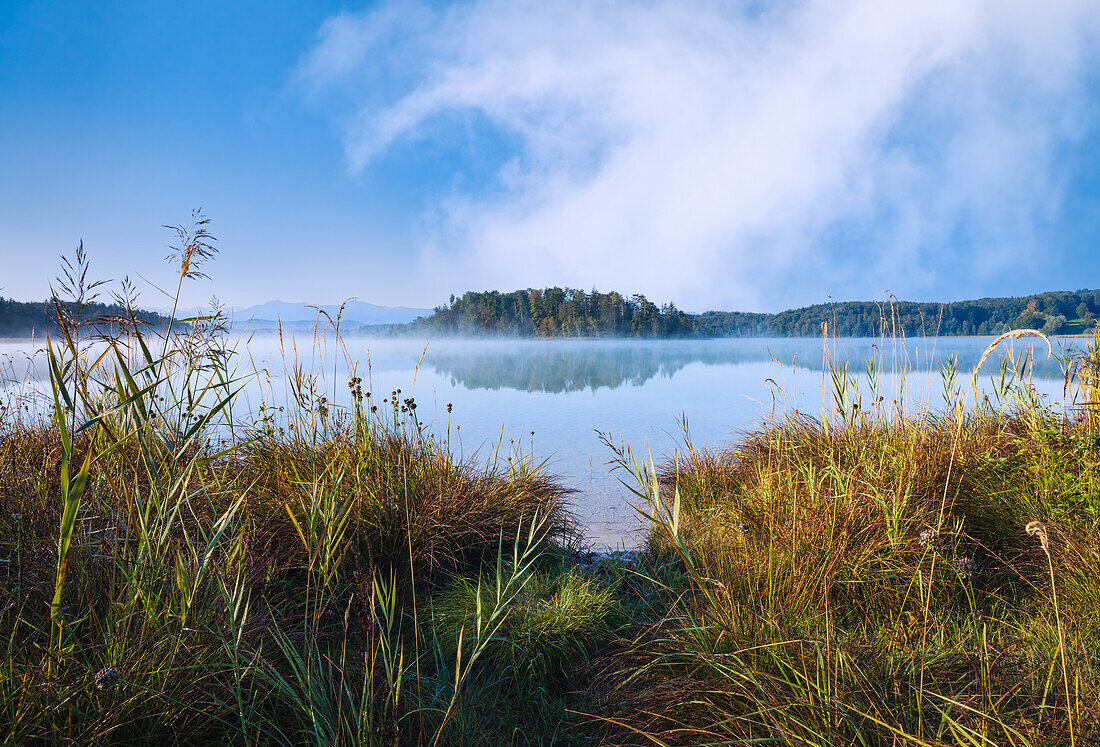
(874, 578)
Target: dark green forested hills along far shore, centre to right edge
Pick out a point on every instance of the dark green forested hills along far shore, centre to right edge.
(556, 313)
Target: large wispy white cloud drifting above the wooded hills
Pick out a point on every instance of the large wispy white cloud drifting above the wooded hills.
(751, 156)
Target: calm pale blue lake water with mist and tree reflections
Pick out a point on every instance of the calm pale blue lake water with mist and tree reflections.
(552, 398)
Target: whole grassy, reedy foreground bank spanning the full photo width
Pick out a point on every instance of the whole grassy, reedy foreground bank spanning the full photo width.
(335, 577)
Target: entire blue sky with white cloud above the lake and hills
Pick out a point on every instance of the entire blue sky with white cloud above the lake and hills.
(719, 156)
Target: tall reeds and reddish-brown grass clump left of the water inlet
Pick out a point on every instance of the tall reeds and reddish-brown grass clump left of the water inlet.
(217, 580)
